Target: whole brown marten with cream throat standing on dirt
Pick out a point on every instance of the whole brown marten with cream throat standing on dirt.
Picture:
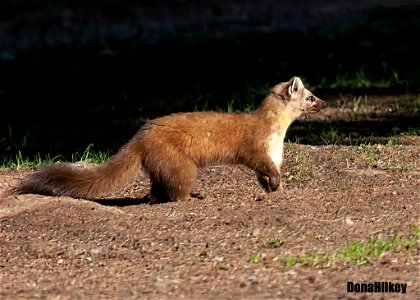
(171, 149)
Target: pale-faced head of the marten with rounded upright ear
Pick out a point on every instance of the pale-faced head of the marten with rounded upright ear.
(296, 97)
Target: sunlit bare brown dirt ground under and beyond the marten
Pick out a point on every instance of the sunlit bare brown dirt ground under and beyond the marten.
(124, 248)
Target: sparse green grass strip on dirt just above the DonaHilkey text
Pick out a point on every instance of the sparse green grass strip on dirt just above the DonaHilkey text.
(357, 253)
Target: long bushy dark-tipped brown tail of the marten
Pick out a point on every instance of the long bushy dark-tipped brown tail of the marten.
(88, 183)
